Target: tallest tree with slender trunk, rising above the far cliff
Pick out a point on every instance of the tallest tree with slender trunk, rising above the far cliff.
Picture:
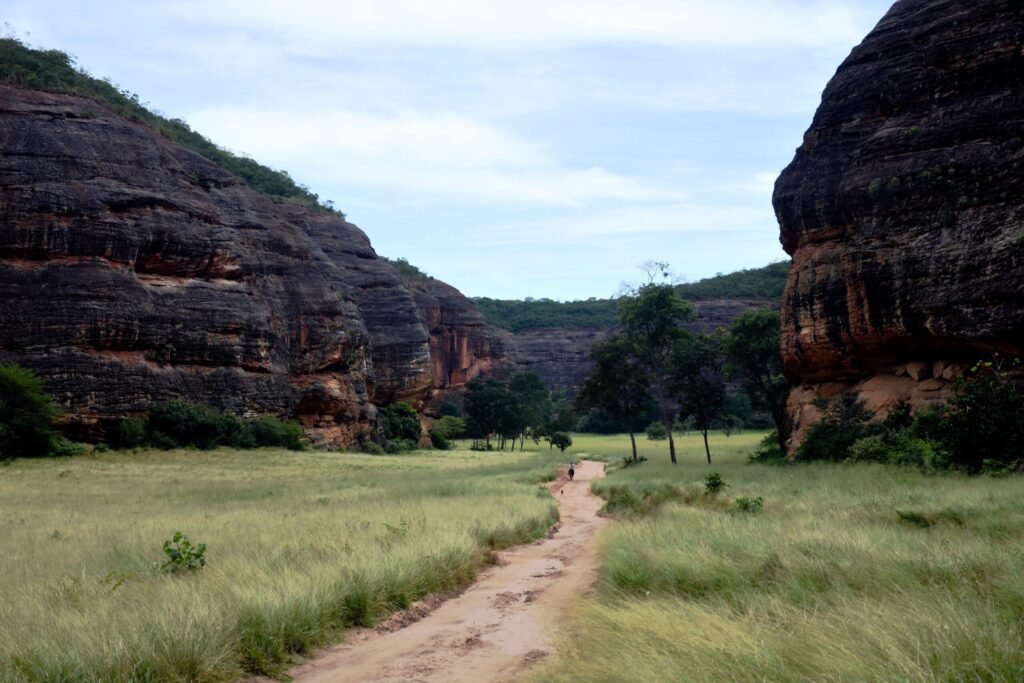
(652, 319)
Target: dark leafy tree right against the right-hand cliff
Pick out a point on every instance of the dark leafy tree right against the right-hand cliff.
(753, 357)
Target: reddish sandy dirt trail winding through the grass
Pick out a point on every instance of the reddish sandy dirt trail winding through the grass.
(499, 627)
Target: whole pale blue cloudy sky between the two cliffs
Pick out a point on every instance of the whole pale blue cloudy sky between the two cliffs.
(515, 149)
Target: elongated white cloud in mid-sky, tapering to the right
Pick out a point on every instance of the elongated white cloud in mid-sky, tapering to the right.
(414, 154)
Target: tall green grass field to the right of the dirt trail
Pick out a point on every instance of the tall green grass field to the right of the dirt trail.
(849, 574)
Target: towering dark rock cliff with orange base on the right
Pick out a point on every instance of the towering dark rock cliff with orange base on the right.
(904, 209)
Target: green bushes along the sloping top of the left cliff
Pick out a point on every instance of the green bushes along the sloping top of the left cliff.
(57, 72)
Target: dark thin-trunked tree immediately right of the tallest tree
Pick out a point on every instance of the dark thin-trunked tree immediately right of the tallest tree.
(699, 381)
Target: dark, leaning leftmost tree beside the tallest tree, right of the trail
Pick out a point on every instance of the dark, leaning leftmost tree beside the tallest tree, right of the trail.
(618, 385)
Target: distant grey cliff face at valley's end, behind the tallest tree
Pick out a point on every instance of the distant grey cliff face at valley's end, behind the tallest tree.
(562, 357)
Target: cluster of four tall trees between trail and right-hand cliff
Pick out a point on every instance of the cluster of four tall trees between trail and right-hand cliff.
(655, 362)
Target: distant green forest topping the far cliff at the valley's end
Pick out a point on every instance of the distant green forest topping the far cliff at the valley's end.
(765, 283)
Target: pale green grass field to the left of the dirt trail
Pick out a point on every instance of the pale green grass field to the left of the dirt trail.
(302, 546)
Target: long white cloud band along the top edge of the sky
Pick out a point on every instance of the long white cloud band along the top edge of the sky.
(504, 24)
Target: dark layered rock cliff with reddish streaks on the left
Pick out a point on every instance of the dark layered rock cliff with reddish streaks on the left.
(134, 272)
